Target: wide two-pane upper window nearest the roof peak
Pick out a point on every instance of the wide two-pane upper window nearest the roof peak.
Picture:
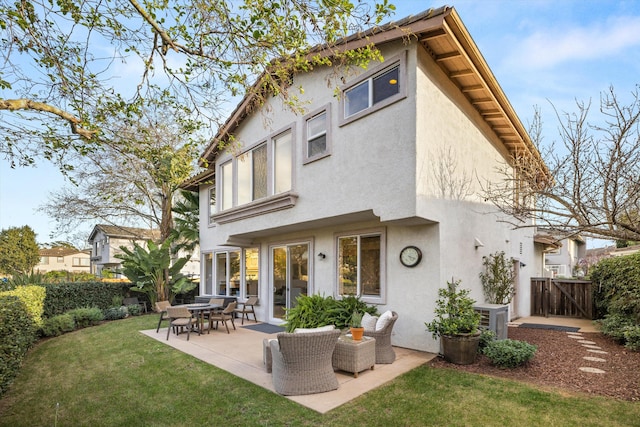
(374, 90)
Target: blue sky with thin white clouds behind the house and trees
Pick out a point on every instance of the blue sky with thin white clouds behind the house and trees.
(548, 54)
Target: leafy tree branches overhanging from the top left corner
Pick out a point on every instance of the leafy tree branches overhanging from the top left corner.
(68, 67)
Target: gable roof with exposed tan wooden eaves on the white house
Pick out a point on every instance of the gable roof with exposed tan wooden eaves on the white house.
(447, 40)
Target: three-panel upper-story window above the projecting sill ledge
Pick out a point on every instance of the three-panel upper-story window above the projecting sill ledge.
(259, 172)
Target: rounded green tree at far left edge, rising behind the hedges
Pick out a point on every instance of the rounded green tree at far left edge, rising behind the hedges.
(19, 252)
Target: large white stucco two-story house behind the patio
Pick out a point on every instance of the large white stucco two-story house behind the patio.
(374, 193)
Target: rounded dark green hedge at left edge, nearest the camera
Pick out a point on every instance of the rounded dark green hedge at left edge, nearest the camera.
(17, 334)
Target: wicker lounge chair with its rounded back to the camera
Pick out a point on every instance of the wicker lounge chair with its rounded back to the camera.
(301, 363)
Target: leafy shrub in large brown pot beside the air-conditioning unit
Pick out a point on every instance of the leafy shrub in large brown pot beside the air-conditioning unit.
(456, 324)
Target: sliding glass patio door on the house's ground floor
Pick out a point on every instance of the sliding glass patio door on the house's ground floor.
(290, 276)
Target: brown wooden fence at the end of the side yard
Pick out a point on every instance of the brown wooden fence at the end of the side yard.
(561, 297)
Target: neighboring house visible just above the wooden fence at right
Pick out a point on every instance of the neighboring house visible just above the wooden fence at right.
(564, 257)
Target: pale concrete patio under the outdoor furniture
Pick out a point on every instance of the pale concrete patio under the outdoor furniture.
(240, 353)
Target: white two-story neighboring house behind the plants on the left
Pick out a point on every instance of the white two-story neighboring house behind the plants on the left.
(106, 240)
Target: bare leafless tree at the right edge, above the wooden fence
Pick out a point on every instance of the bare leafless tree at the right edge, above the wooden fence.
(591, 181)
